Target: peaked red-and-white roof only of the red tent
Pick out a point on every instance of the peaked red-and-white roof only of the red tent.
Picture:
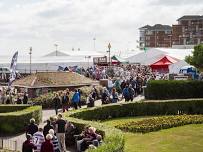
(166, 60)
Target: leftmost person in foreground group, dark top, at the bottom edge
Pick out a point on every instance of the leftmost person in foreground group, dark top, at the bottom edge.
(28, 146)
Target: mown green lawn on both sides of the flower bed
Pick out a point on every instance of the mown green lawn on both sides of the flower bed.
(188, 138)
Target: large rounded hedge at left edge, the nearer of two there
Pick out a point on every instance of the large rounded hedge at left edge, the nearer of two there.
(15, 122)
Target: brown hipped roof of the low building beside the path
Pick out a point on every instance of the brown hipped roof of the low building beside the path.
(52, 79)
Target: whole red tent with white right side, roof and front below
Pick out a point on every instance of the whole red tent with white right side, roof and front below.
(162, 65)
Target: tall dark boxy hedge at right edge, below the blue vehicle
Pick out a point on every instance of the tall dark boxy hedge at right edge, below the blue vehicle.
(171, 89)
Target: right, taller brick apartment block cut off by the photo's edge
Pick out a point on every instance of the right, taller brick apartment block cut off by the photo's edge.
(188, 31)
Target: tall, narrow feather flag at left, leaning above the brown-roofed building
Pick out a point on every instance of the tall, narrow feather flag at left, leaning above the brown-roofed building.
(13, 68)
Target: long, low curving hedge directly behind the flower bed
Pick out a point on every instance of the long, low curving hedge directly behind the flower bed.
(150, 108)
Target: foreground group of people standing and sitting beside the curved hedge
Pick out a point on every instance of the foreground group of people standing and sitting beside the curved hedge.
(53, 137)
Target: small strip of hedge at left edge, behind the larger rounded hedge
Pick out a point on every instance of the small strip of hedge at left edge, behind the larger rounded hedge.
(12, 108)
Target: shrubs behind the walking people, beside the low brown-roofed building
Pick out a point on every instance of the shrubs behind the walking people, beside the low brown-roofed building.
(46, 100)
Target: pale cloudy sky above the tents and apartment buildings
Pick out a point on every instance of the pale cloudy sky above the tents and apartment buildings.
(75, 23)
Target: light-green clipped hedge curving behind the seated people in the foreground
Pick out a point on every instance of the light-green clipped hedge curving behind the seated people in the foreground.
(113, 138)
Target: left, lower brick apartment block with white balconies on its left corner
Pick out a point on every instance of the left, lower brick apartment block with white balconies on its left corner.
(155, 36)
